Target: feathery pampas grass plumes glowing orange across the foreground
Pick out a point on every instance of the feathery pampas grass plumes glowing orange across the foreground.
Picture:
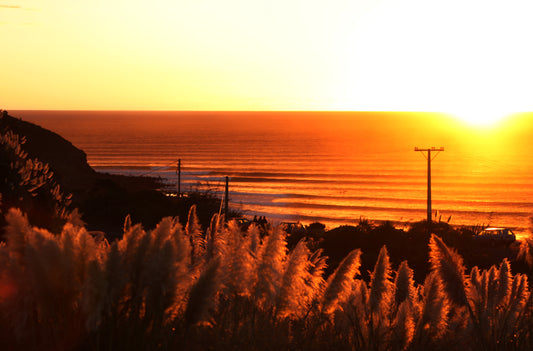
(224, 288)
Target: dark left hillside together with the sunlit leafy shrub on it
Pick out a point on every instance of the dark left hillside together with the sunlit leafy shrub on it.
(103, 200)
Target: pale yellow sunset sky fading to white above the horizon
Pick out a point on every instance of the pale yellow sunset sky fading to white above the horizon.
(465, 57)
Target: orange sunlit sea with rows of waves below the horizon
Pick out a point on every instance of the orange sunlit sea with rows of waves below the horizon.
(319, 166)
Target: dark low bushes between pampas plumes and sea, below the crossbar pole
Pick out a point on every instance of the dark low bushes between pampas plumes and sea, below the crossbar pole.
(410, 245)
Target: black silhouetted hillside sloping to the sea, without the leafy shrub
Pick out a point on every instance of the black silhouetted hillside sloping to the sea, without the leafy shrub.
(104, 200)
